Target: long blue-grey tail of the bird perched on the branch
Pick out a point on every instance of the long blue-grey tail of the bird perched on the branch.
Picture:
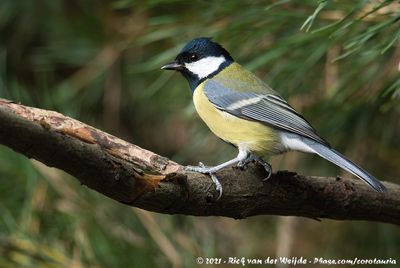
(341, 161)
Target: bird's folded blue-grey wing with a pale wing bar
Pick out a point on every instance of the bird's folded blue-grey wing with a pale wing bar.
(264, 107)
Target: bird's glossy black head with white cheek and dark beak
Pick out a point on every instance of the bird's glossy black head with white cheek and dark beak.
(200, 59)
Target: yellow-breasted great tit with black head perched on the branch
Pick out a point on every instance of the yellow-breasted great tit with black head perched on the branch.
(242, 110)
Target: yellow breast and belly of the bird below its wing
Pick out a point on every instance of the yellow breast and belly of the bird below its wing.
(251, 135)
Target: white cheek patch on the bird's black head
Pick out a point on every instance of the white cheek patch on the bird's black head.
(205, 66)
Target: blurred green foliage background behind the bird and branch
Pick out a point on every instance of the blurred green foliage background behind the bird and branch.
(99, 61)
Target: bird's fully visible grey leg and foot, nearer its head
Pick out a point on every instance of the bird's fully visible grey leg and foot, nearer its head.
(243, 154)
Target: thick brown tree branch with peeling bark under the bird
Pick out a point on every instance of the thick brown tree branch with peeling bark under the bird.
(137, 177)
